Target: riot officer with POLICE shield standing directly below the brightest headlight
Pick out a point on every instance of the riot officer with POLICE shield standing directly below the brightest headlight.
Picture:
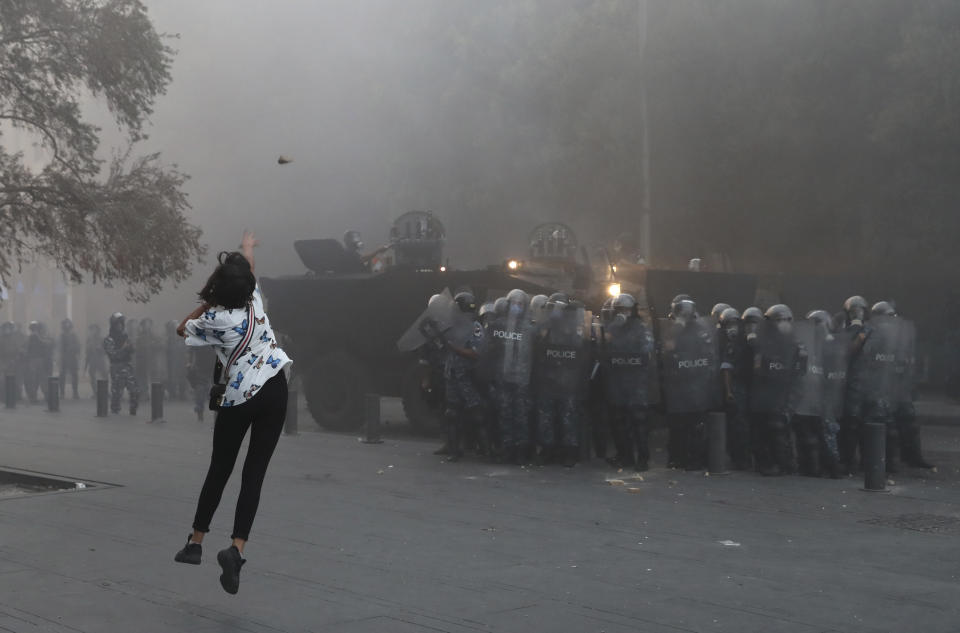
(626, 355)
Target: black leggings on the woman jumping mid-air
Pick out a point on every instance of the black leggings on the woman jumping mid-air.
(264, 414)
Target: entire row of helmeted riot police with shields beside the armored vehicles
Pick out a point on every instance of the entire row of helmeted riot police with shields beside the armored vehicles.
(536, 379)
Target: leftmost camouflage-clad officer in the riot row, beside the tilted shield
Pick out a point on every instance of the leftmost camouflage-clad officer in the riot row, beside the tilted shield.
(463, 343)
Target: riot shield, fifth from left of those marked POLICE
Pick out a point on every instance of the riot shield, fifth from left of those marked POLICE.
(777, 371)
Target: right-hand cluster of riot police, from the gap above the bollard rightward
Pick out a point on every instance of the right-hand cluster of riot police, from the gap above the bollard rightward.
(798, 393)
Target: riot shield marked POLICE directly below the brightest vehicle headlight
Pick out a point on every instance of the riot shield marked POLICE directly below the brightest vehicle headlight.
(627, 355)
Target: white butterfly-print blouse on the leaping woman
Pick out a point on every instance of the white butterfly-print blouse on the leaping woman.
(222, 329)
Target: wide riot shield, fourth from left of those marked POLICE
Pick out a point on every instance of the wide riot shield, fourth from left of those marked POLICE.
(689, 364)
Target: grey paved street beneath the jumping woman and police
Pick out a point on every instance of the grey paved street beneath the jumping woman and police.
(359, 538)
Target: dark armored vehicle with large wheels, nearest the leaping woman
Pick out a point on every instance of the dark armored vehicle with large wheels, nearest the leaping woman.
(342, 327)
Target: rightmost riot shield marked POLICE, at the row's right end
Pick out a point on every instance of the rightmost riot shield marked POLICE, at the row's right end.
(881, 364)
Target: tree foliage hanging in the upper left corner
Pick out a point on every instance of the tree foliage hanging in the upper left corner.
(116, 221)
